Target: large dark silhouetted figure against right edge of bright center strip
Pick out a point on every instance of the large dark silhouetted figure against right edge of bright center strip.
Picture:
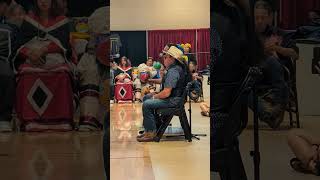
(233, 51)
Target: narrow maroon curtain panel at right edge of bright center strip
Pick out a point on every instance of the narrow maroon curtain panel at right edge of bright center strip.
(203, 48)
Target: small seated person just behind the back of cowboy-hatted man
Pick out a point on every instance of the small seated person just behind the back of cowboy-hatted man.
(196, 81)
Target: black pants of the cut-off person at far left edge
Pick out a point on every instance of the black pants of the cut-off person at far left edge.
(7, 96)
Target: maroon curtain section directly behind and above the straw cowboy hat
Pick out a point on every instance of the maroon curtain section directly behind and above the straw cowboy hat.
(157, 39)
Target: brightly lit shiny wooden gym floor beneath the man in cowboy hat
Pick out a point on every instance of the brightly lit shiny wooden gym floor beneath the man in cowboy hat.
(167, 160)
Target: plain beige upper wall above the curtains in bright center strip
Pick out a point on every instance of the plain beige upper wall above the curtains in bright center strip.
(132, 15)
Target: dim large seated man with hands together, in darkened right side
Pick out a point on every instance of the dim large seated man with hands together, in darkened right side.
(272, 89)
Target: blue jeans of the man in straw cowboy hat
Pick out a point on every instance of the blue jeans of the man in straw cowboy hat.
(148, 109)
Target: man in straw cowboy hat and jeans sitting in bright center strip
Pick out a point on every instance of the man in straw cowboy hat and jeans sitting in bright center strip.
(170, 96)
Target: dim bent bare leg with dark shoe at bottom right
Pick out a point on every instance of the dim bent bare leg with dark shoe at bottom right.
(307, 151)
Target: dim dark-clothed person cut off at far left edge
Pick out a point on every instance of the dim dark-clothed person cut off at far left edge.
(7, 79)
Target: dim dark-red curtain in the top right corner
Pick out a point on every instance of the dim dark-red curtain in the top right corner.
(294, 13)
